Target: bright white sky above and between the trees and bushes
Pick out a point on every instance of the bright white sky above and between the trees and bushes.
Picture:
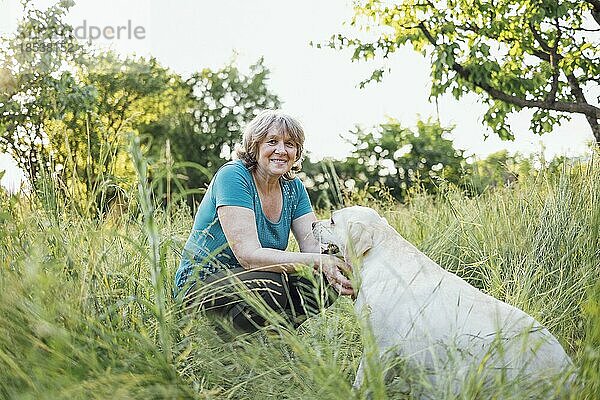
(318, 86)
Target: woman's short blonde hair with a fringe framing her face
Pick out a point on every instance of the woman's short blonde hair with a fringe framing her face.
(257, 130)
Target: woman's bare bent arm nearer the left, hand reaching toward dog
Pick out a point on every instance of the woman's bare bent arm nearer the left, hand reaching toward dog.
(239, 227)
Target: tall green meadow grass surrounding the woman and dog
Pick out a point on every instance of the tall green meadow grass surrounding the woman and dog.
(86, 309)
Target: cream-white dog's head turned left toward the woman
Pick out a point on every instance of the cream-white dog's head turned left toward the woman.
(351, 230)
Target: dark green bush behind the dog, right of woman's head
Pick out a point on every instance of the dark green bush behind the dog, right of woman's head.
(392, 158)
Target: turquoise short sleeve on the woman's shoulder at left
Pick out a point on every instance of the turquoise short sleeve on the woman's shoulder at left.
(232, 188)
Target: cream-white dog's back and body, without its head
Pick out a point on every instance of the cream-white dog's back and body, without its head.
(440, 322)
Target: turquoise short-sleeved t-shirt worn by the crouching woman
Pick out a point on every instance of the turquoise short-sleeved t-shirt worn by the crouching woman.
(206, 248)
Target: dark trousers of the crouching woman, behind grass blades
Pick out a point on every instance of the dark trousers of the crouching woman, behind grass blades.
(244, 298)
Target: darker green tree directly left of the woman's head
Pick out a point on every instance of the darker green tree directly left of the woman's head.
(207, 122)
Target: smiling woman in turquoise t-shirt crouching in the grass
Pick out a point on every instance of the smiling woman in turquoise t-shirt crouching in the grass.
(242, 228)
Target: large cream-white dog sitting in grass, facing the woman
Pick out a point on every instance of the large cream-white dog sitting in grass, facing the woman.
(430, 317)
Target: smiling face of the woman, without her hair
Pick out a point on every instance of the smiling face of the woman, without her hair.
(276, 154)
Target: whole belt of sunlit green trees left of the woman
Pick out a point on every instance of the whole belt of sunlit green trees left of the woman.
(66, 112)
